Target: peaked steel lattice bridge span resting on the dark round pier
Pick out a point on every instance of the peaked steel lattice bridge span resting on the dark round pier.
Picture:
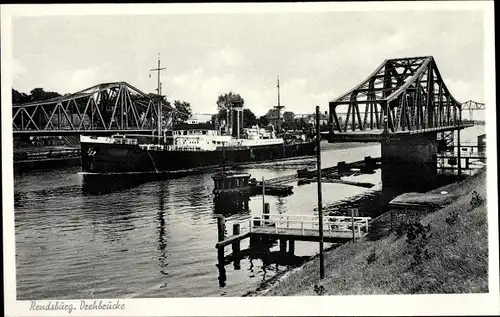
(407, 92)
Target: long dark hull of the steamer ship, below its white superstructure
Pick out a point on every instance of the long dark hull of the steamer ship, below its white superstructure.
(103, 158)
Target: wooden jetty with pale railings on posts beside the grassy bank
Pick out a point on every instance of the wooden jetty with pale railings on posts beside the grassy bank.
(288, 228)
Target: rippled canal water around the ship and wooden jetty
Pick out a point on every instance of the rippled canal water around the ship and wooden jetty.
(155, 239)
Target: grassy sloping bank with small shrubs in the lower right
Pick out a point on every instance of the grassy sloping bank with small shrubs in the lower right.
(442, 252)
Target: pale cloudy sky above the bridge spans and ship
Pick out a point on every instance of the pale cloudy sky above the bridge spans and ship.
(317, 55)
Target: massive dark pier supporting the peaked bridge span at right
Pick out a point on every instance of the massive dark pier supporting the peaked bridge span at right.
(409, 162)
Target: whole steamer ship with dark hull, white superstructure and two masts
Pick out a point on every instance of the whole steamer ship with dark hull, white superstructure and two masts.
(190, 146)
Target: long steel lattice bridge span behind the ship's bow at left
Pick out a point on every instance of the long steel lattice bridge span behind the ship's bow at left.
(113, 107)
